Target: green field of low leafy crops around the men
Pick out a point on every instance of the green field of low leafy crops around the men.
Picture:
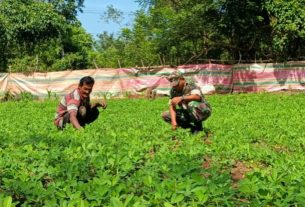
(252, 154)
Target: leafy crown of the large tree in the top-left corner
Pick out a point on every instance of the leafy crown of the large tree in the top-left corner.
(30, 22)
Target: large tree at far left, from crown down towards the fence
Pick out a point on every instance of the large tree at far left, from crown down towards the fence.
(26, 24)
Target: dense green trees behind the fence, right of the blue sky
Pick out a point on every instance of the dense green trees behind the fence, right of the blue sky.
(190, 31)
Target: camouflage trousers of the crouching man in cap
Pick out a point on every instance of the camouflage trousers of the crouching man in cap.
(195, 113)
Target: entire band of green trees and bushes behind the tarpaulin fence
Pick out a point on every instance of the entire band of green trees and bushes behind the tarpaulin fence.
(45, 35)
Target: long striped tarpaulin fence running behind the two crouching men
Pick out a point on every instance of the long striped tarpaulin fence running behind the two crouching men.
(212, 78)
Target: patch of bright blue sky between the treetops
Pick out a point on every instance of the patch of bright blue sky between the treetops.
(94, 9)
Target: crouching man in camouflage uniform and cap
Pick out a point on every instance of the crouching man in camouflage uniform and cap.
(193, 107)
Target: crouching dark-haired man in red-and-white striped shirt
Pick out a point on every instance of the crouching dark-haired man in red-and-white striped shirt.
(75, 107)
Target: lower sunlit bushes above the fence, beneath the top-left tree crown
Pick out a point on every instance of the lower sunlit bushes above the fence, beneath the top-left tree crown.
(71, 52)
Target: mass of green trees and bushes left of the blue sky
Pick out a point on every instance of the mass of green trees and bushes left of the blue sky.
(37, 35)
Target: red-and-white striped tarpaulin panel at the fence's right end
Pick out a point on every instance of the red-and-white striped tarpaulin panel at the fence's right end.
(268, 77)
